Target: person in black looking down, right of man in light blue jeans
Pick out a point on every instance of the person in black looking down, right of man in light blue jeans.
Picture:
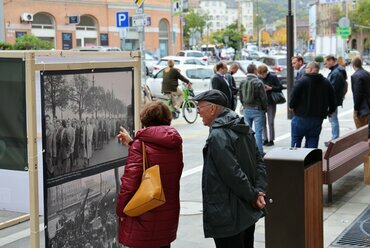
(272, 84)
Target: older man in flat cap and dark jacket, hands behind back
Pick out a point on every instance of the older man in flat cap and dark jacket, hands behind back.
(234, 176)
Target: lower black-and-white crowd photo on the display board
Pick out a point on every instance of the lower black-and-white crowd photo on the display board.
(81, 213)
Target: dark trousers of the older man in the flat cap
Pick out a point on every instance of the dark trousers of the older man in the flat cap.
(244, 239)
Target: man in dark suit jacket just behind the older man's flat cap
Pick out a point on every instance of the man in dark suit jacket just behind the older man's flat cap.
(221, 83)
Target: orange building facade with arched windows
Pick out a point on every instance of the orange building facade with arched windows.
(55, 21)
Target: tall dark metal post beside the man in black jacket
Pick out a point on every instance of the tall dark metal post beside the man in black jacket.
(290, 52)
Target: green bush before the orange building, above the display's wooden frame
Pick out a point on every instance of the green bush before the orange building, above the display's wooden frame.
(31, 42)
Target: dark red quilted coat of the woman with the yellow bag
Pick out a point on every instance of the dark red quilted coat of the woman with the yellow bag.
(157, 227)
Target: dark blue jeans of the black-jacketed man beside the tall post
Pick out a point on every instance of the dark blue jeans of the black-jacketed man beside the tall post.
(308, 127)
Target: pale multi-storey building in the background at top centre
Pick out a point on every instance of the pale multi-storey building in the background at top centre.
(222, 13)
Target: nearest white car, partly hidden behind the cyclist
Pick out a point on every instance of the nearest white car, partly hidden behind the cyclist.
(199, 76)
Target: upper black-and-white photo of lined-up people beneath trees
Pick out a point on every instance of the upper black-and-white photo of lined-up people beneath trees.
(83, 114)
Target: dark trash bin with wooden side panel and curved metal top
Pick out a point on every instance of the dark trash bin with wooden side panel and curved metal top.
(294, 198)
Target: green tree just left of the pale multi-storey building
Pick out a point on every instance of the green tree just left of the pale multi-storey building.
(194, 20)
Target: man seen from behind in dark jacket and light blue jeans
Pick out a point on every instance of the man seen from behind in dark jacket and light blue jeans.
(254, 100)
